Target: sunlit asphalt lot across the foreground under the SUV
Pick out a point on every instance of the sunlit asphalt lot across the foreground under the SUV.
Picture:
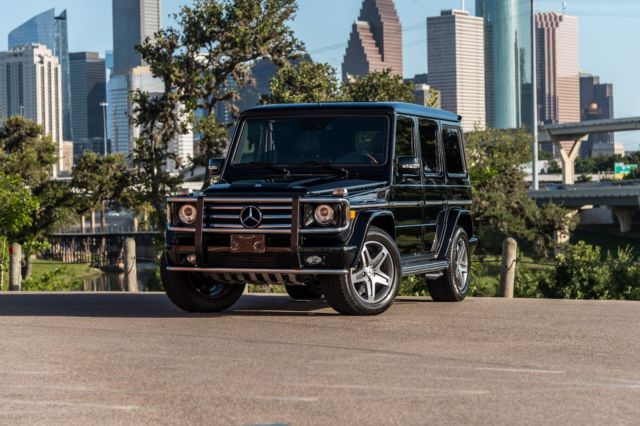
(134, 358)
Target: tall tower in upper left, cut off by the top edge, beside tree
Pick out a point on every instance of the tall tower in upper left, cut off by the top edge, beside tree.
(133, 21)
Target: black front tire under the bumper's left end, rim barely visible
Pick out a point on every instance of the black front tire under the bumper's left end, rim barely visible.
(193, 292)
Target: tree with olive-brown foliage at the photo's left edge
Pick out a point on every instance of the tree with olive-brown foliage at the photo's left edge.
(27, 153)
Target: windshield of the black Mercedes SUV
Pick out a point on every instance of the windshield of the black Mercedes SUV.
(309, 140)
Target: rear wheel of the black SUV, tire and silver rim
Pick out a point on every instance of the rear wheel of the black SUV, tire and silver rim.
(453, 285)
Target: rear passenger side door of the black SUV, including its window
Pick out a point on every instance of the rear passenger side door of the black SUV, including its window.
(435, 191)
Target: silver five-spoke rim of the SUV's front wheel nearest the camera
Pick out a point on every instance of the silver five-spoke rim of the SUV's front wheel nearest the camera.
(374, 273)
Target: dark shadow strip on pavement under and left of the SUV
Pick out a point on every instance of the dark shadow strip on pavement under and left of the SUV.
(146, 305)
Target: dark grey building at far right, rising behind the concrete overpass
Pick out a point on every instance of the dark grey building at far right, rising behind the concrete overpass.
(596, 103)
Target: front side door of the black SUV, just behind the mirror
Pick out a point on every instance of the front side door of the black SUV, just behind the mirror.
(406, 192)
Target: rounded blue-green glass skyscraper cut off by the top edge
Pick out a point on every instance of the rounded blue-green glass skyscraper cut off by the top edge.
(508, 62)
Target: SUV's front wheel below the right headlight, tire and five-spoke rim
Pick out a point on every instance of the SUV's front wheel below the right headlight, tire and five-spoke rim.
(351, 295)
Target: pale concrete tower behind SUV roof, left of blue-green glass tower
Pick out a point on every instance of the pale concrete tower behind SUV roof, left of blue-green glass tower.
(455, 51)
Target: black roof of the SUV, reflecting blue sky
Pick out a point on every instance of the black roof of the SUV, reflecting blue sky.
(400, 107)
